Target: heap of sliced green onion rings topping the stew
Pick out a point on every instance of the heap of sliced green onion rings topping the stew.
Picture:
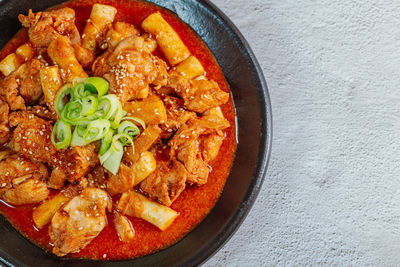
(87, 115)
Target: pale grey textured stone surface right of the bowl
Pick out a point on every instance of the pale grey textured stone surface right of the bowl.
(331, 195)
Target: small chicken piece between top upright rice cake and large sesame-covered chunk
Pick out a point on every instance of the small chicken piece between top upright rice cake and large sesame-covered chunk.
(117, 33)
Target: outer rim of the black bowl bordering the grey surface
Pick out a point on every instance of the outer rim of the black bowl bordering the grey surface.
(264, 154)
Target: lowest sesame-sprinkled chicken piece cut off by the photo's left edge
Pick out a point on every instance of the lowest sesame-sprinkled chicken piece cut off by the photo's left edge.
(21, 181)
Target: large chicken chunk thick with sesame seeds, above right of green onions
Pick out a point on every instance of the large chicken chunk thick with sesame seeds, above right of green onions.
(129, 69)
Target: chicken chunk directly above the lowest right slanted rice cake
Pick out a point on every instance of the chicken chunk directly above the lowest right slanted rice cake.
(166, 183)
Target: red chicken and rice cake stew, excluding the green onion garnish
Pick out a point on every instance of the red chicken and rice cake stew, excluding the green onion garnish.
(162, 73)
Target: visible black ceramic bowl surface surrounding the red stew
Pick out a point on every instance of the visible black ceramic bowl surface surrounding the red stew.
(253, 109)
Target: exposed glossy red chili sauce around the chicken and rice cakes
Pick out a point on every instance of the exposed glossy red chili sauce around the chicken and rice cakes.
(193, 204)
